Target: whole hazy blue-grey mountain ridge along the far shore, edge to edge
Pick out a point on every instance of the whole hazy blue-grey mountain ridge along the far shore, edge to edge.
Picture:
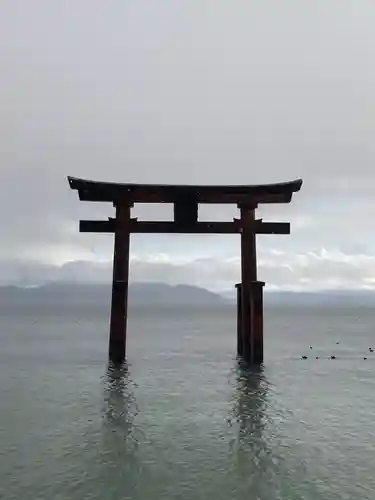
(162, 294)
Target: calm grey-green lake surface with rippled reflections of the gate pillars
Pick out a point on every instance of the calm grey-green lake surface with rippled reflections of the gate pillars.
(184, 421)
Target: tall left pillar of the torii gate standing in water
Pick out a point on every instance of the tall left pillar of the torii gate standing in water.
(118, 324)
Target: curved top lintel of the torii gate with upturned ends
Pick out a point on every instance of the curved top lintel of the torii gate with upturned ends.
(88, 190)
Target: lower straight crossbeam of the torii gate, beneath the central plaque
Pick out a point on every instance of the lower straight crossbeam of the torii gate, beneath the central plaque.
(166, 227)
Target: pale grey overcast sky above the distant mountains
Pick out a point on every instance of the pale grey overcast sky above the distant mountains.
(189, 91)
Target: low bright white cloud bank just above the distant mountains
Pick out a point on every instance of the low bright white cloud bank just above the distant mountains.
(312, 271)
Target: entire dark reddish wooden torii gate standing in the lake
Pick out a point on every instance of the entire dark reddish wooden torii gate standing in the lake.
(186, 200)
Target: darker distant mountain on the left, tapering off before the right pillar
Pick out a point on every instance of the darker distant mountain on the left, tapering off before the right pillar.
(158, 294)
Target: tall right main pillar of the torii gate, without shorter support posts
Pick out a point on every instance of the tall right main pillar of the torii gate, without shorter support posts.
(248, 276)
